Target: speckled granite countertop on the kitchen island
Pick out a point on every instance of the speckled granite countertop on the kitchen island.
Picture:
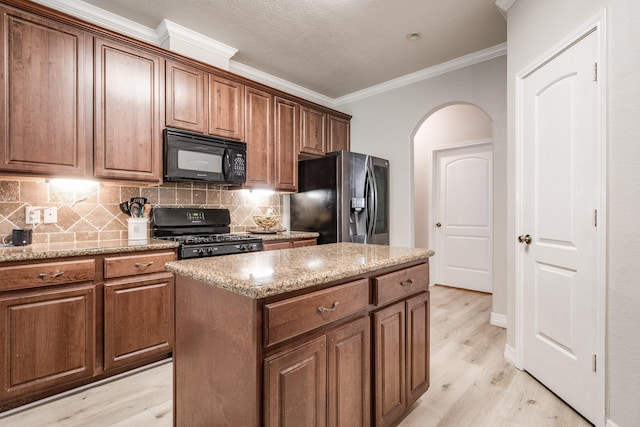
(262, 274)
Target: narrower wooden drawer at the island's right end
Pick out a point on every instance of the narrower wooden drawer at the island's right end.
(399, 284)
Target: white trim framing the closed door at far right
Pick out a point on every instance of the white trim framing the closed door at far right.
(514, 355)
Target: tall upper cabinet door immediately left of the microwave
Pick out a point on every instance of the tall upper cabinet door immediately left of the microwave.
(128, 134)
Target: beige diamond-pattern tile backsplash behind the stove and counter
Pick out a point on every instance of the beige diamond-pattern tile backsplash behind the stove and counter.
(93, 213)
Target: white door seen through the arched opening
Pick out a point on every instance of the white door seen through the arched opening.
(463, 201)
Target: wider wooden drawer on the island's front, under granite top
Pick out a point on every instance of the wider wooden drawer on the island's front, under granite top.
(288, 318)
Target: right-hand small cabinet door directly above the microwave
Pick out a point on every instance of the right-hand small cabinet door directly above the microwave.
(226, 108)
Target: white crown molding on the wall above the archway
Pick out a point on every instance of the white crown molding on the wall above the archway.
(427, 73)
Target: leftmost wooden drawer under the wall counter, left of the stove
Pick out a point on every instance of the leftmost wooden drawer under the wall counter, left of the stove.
(45, 274)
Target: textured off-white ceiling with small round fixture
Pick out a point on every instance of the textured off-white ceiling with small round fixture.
(333, 47)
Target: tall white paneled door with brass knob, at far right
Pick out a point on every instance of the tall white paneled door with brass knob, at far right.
(559, 237)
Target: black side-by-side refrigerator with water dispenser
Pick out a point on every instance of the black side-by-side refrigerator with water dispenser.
(344, 196)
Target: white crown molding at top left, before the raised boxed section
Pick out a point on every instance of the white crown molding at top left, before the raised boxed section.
(103, 18)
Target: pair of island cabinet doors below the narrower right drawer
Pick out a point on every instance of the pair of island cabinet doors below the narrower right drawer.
(401, 357)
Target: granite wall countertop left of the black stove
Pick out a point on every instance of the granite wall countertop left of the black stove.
(80, 248)
